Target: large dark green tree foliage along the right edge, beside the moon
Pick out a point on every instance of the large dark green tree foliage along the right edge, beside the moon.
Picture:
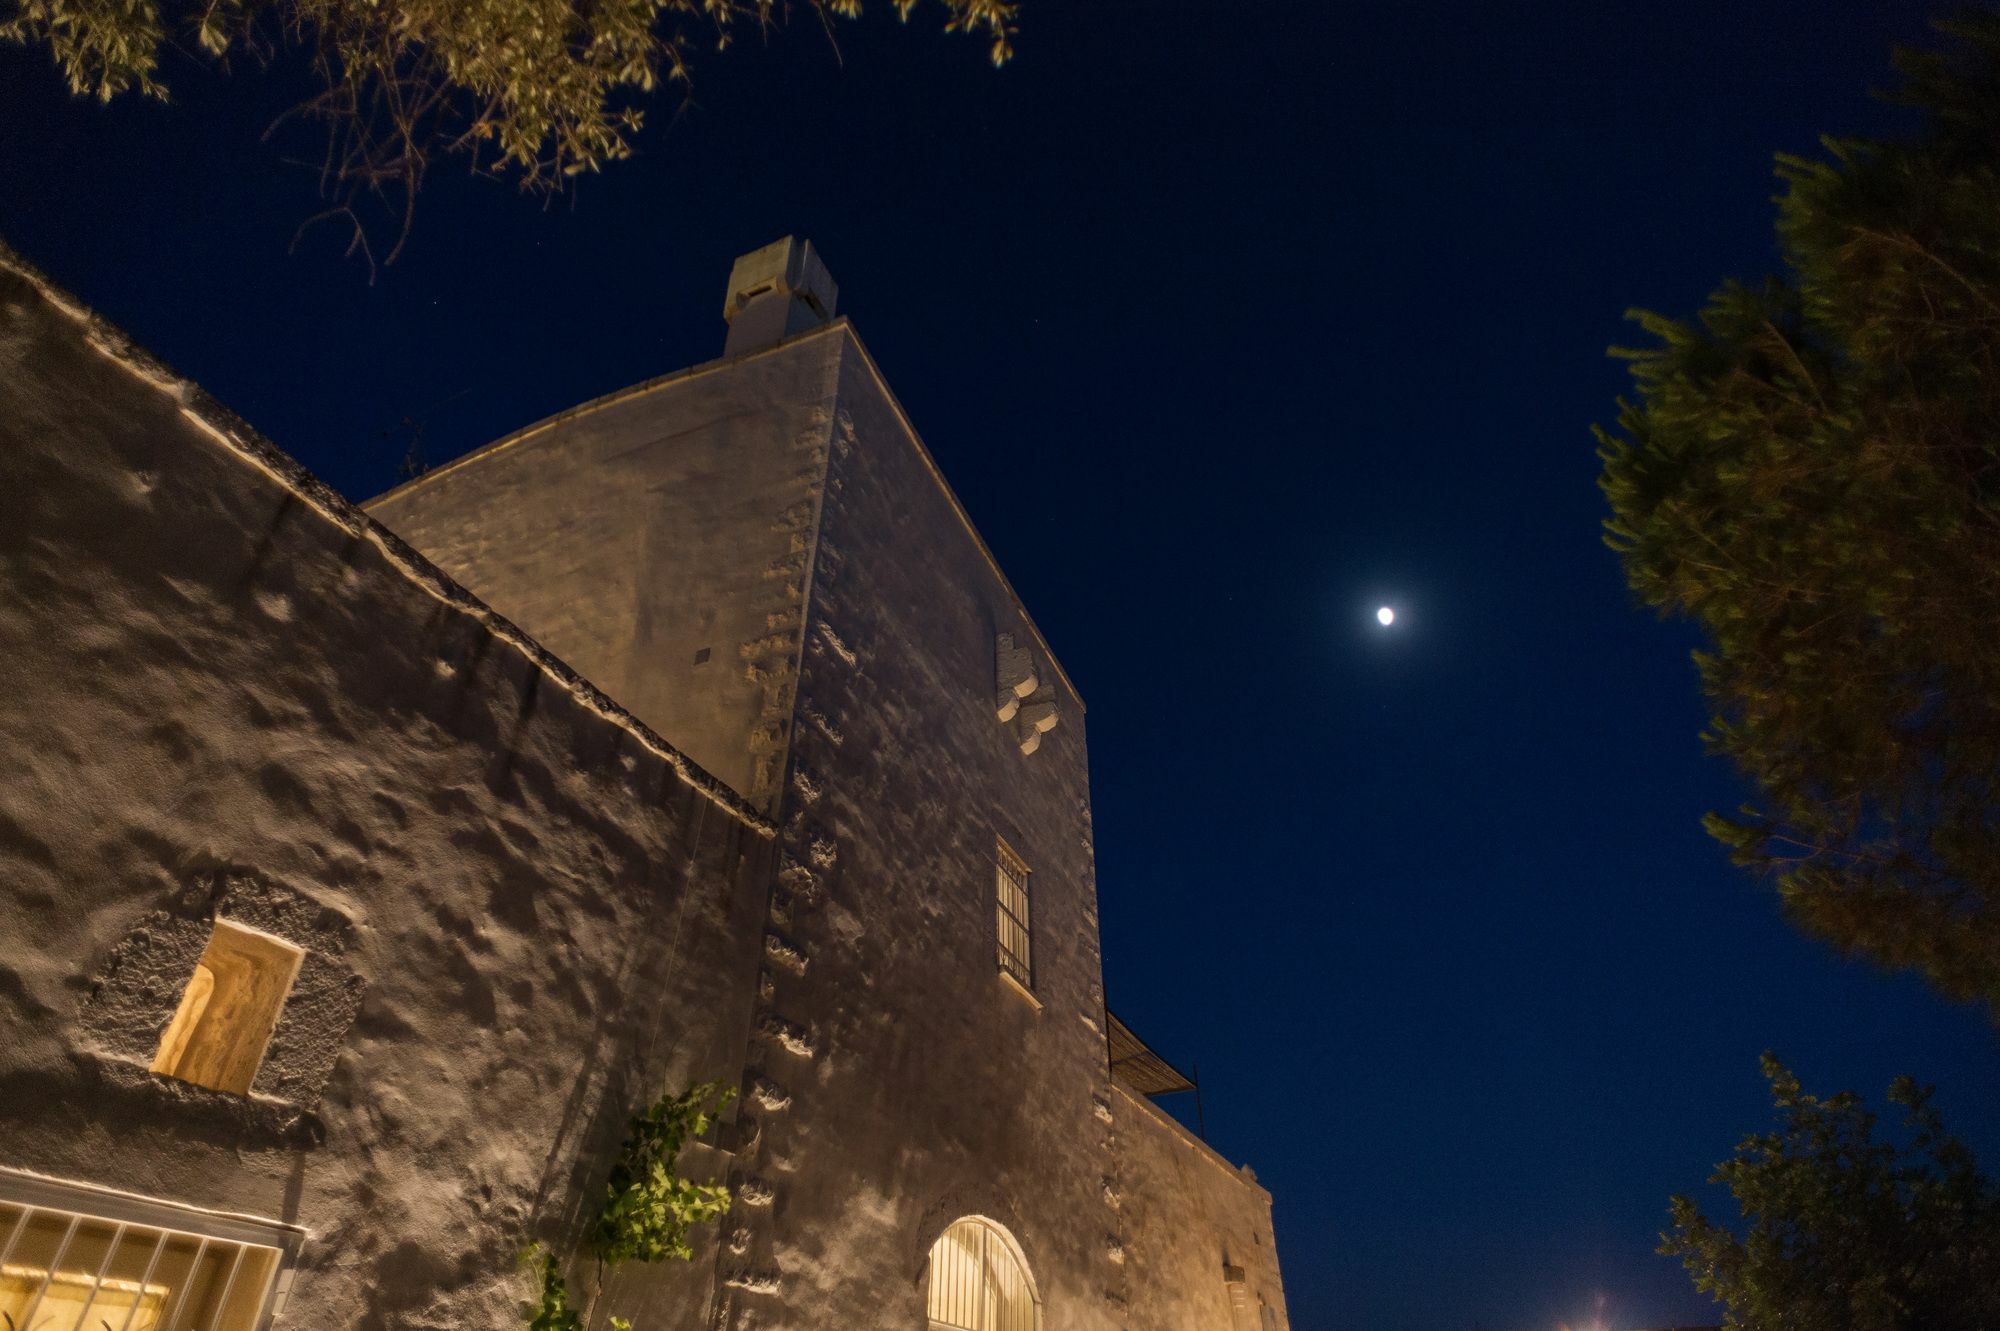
(1813, 475)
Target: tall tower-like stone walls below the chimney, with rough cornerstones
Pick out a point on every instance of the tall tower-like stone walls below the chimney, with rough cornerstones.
(895, 1082)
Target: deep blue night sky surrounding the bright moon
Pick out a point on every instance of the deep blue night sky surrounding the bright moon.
(1229, 325)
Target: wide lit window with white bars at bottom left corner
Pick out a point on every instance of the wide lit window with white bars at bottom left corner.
(131, 1264)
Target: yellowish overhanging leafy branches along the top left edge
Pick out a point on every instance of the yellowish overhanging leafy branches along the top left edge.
(535, 91)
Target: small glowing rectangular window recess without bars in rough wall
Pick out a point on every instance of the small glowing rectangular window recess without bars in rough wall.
(229, 1010)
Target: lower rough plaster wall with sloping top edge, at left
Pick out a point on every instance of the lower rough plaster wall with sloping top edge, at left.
(523, 912)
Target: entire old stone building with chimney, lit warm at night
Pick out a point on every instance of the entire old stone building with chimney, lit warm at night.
(367, 870)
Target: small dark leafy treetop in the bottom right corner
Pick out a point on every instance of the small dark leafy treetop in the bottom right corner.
(1845, 1232)
